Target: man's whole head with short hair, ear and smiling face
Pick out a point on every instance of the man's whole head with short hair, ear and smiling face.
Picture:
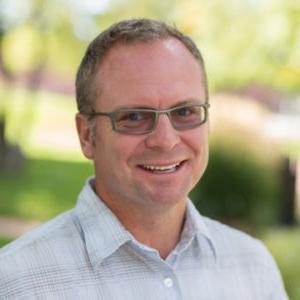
(152, 70)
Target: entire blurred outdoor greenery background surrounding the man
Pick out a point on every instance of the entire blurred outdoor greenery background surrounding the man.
(252, 54)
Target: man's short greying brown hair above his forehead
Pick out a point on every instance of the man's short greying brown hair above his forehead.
(125, 32)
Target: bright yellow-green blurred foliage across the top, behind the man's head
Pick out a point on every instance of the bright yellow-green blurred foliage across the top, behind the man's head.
(261, 38)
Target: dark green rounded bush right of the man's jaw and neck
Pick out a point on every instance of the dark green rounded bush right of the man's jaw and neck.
(239, 185)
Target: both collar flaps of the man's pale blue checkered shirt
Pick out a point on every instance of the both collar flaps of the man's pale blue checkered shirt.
(104, 234)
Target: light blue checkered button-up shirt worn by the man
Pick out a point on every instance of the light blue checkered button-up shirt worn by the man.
(86, 253)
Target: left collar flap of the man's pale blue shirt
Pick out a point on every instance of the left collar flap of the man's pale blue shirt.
(102, 231)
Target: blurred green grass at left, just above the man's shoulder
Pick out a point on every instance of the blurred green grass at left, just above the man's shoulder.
(43, 189)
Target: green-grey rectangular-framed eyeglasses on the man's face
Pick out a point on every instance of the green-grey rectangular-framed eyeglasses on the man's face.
(140, 121)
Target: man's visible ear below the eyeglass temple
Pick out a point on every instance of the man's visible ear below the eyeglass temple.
(85, 136)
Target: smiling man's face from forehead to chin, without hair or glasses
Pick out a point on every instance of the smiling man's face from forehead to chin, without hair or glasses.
(157, 75)
